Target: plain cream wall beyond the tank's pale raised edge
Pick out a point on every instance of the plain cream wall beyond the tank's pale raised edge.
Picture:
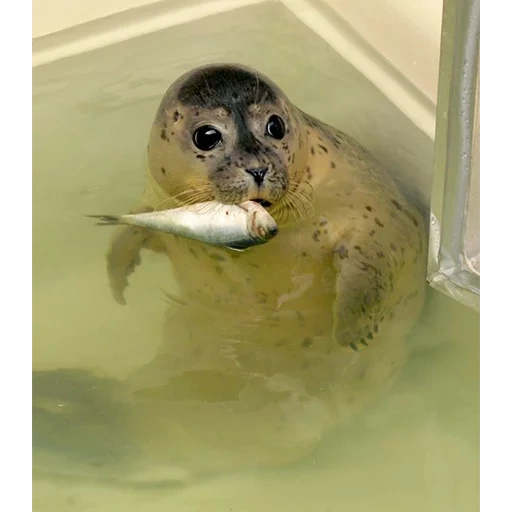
(405, 32)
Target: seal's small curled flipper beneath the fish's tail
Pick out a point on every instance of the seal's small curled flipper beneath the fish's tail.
(123, 254)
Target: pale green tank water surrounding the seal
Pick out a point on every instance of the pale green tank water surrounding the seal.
(416, 449)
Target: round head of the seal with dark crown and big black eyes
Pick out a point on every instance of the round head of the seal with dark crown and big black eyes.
(230, 134)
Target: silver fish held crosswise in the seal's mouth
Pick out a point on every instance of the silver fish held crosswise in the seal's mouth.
(236, 227)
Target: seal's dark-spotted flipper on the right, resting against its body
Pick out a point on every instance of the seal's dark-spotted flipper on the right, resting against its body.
(361, 287)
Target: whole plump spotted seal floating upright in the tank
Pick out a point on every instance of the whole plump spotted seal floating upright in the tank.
(266, 350)
